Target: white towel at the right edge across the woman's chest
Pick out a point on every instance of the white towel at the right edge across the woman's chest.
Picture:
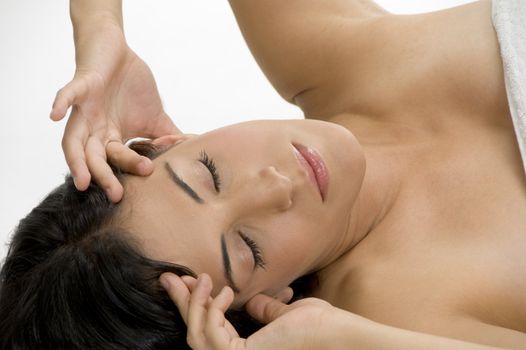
(509, 20)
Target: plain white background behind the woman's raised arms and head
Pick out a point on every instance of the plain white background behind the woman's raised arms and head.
(206, 76)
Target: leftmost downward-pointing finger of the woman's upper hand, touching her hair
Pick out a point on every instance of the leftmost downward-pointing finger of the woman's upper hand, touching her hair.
(73, 142)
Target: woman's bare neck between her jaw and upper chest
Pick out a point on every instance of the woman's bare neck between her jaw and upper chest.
(388, 148)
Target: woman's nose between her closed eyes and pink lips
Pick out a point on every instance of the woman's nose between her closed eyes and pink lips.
(267, 191)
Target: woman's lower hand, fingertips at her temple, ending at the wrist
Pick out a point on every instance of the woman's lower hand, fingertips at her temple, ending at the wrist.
(302, 325)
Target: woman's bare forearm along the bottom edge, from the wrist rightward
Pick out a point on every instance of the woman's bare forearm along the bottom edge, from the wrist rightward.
(365, 334)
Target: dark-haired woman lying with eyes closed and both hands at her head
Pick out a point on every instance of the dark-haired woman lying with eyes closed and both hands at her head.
(394, 197)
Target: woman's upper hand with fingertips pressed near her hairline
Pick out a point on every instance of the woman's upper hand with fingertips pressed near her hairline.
(114, 98)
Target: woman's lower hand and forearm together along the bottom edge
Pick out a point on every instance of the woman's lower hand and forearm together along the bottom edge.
(307, 324)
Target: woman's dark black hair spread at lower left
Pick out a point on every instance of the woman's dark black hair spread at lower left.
(73, 279)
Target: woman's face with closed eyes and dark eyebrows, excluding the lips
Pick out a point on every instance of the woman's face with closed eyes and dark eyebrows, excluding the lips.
(263, 222)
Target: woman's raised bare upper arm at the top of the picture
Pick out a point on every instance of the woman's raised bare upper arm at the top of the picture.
(299, 44)
